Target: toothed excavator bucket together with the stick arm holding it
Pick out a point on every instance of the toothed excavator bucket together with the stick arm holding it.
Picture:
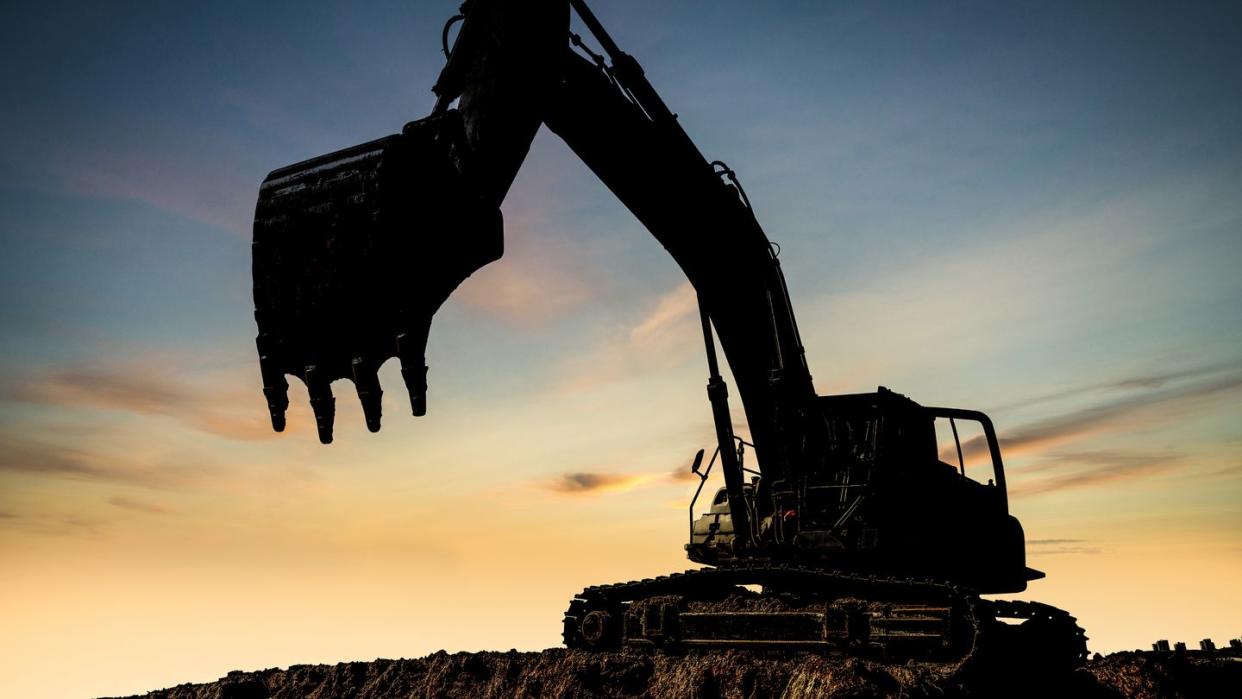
(357, 250)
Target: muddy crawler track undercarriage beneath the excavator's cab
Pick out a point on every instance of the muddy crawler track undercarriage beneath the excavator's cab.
(813, 609)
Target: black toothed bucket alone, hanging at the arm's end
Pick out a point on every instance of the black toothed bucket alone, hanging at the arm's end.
(353, 254)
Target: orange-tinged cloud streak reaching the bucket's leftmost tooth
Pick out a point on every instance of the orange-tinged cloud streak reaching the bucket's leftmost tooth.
(147, 390)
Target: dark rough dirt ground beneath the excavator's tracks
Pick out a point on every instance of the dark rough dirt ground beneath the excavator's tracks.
(577, 675)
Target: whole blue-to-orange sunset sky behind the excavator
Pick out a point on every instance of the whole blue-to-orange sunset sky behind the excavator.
(1031, 209)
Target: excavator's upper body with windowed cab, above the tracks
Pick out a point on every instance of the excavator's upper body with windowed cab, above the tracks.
(886, 485)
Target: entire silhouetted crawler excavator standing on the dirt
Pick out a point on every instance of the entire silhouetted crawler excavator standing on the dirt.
(846, 533)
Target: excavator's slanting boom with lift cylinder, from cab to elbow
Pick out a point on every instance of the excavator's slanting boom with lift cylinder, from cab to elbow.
(622, 130)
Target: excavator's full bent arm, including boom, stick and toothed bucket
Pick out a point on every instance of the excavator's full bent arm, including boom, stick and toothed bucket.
(355, 251)
